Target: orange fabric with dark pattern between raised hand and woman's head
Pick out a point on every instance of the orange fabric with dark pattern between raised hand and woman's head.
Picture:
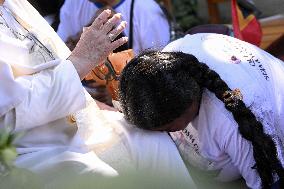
(102, 73)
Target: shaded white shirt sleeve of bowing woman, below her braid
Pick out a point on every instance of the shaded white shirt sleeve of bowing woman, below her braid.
(221, 143)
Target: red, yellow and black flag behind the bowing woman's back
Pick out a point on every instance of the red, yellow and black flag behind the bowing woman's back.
(245, 24)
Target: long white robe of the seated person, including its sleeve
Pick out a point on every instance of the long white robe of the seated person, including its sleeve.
(40, 90)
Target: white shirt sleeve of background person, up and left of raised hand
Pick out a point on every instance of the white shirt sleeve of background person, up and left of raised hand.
(65, 29)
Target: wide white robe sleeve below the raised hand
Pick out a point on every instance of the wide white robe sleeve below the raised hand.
(52, 94)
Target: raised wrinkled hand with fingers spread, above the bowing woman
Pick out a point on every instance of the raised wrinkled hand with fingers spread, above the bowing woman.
(96, 42)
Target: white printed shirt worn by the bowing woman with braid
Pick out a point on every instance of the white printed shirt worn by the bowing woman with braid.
(212, 140)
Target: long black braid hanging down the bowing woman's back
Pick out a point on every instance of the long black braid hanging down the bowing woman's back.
(264, 150)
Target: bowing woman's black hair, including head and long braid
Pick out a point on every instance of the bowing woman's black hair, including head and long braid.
(157, 87)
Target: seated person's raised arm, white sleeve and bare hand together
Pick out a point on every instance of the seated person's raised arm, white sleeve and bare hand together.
(55, 93)
